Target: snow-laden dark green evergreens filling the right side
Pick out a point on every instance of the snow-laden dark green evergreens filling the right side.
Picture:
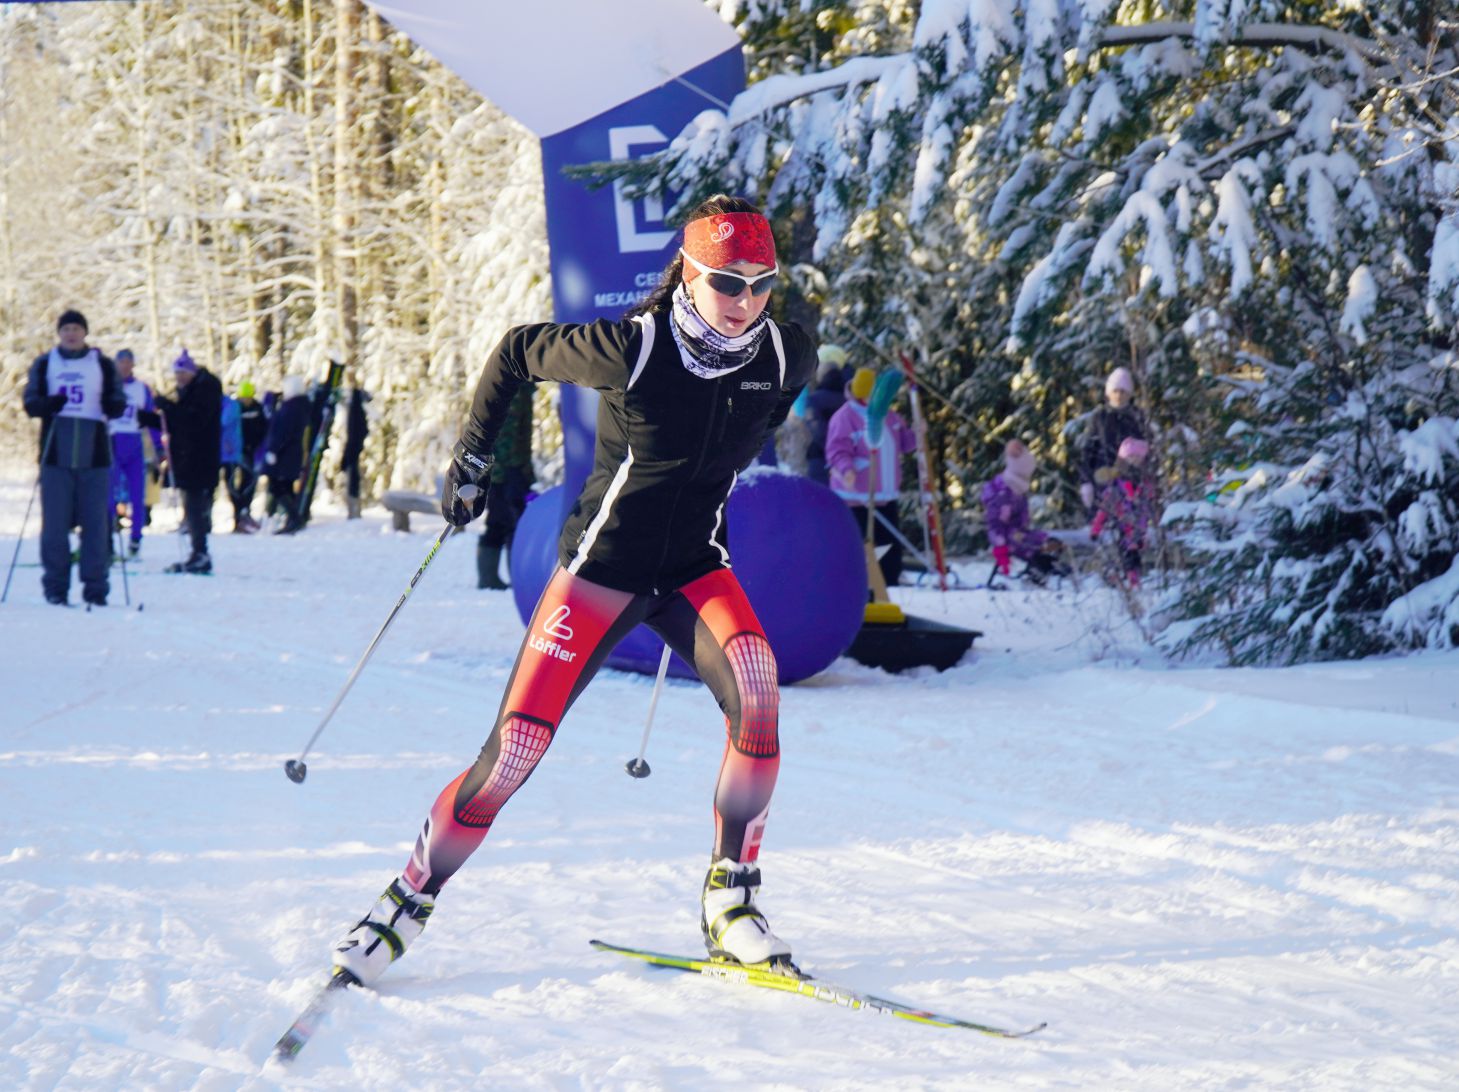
(1242, 202)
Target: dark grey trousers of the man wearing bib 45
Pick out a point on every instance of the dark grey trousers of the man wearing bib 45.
(75, 499)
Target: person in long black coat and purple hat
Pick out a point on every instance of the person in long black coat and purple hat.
(195, 424)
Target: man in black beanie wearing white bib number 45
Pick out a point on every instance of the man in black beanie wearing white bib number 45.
(74, 391)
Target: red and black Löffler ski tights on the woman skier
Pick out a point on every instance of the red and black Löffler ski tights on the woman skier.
(577, 624)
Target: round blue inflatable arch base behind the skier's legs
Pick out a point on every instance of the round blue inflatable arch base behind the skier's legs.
(796, 551)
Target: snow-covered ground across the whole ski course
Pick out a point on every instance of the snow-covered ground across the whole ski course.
(1199, 878)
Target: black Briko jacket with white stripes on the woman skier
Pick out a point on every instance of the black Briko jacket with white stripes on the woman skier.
(670, 445)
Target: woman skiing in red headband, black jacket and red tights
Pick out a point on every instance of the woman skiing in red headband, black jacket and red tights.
(692, 383)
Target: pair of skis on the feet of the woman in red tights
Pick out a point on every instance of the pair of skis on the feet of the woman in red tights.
(786, 979)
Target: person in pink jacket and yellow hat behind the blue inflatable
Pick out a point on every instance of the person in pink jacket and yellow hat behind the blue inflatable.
(862, 475)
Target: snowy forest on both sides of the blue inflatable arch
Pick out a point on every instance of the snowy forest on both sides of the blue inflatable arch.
(1253, 205)
